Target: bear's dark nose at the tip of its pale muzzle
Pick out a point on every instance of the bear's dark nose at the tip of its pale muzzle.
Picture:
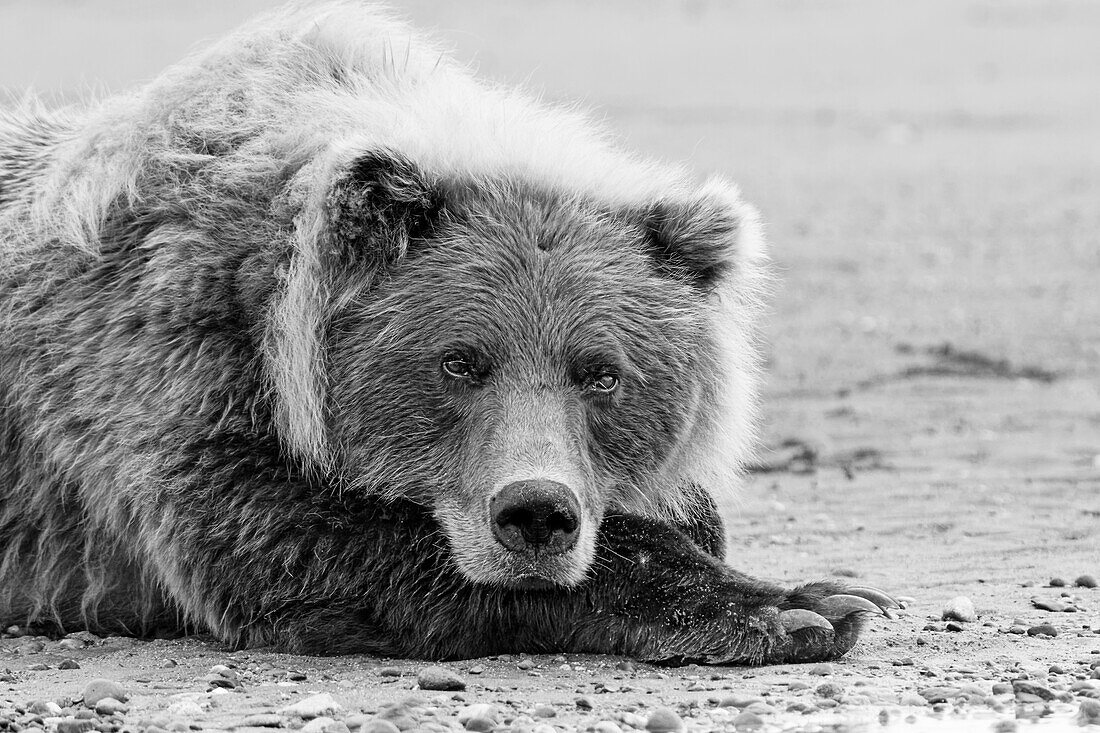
(536, 516)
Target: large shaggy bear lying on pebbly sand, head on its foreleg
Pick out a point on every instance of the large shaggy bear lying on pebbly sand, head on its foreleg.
(320, 343)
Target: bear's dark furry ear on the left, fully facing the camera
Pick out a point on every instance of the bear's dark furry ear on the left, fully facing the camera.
(377, 205)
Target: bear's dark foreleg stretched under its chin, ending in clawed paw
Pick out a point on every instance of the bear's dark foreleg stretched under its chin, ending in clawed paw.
(652, 594)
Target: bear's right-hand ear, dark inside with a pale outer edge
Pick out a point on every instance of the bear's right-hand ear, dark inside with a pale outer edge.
(703, 237)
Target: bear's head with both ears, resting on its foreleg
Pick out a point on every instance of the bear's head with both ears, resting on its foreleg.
(520, 359)
